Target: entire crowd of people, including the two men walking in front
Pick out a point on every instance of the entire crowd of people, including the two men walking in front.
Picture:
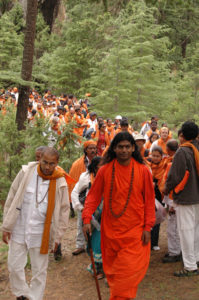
(120, 186)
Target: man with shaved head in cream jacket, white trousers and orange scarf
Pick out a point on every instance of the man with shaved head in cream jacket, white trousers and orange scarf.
(35, 218)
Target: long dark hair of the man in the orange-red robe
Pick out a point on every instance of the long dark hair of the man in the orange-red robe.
(122, 136)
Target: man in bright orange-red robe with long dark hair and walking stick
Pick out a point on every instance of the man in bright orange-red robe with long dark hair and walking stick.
(127, 218)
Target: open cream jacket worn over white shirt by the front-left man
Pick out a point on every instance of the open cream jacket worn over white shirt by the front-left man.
(15, 198)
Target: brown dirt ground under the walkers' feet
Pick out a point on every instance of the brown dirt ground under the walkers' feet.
(69, 280)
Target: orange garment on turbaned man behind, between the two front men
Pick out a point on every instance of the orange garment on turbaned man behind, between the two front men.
(78, 167)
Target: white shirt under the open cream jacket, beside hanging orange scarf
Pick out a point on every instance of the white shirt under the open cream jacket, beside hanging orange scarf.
(30, 222)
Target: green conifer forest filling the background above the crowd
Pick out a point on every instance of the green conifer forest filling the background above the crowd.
(136, 58)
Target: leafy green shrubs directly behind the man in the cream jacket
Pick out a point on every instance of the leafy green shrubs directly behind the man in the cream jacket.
(18, 147)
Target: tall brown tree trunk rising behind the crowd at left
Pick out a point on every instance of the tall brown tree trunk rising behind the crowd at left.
(27, 63)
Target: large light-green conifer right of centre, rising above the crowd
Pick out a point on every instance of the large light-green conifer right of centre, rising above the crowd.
(131, 77)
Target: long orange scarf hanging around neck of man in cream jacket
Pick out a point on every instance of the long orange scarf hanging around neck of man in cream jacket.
(58, 172)
